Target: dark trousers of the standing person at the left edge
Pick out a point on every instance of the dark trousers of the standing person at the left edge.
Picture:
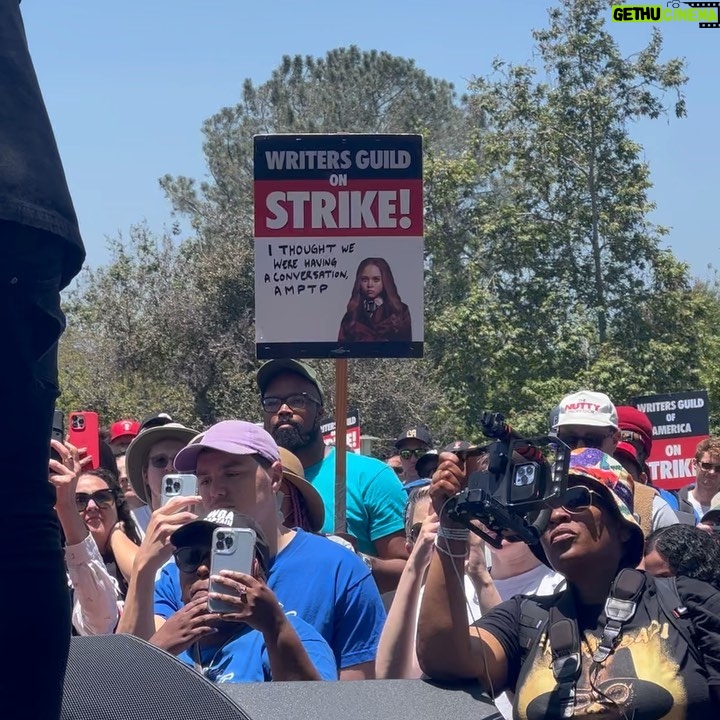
(34, 597)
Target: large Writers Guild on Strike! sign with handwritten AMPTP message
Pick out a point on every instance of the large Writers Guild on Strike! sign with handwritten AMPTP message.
(338, 246)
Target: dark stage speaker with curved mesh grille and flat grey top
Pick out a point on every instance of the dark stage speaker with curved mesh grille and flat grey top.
(118, 677)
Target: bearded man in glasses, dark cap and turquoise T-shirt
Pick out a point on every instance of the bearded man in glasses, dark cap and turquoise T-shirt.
(292, 402)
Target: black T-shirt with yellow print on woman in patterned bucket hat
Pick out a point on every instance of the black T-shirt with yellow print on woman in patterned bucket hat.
(652, 674)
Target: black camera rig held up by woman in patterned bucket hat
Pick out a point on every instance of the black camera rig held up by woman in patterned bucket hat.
(509, 497)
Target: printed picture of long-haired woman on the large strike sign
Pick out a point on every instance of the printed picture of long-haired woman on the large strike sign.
(375, 312)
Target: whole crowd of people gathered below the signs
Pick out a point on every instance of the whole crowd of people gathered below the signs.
(404, 591)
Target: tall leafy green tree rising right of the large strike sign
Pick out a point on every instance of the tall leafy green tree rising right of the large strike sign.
(573, 287)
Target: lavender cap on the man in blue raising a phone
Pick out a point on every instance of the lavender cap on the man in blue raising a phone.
(235, 437)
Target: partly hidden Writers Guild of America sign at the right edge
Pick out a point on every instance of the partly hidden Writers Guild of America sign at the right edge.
(680, 421)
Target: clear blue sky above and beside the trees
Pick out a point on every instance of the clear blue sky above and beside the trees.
(128, 84)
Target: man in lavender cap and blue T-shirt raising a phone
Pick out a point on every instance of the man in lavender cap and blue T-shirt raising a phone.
(238, 468)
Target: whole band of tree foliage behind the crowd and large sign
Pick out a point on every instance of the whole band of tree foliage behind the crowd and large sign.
(543, 271)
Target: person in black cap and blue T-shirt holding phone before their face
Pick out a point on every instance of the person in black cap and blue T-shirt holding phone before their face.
(255, 640)
